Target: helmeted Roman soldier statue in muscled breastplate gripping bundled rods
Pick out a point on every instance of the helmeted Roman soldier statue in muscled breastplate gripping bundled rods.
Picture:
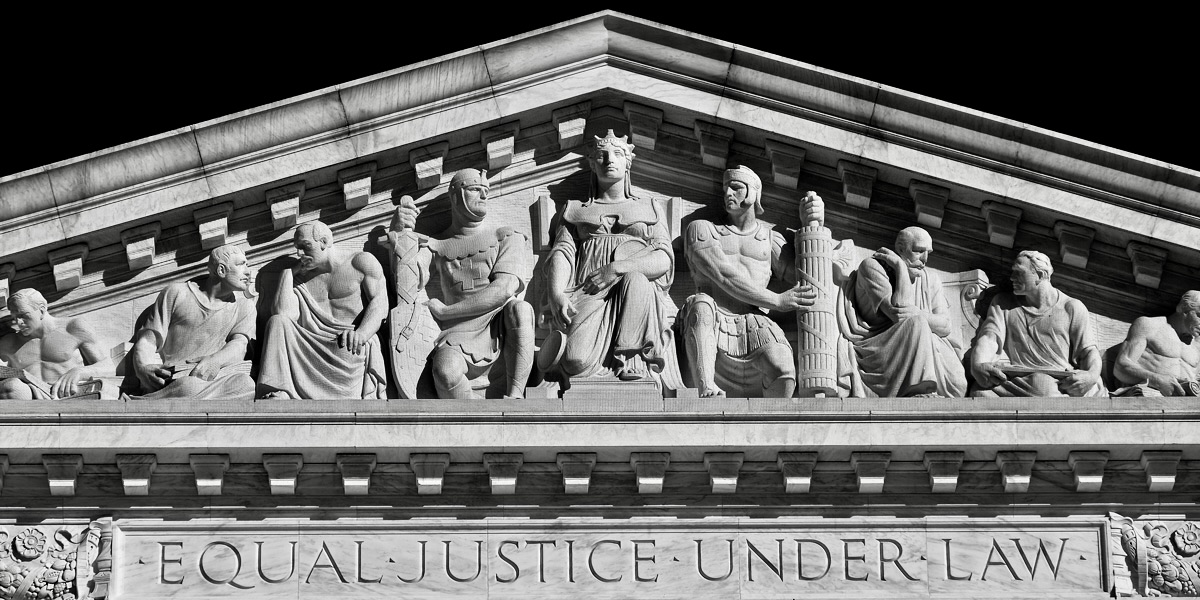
(733, 346)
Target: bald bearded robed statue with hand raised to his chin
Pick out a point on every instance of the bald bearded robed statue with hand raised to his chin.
(908, 347)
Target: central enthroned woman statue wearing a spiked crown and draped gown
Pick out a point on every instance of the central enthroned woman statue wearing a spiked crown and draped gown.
(608, 277)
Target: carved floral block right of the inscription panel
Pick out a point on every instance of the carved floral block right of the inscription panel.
(1161, 556)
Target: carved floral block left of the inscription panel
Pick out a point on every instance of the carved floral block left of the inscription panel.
(46, 562)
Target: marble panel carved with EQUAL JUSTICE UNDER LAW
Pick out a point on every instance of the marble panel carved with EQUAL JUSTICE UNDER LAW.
(350, 562)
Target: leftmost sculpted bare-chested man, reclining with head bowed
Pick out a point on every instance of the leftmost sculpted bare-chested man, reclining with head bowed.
(57, 355)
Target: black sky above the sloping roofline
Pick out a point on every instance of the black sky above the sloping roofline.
(1121, 80)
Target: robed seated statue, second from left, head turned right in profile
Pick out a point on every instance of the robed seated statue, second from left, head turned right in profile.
(201, 332)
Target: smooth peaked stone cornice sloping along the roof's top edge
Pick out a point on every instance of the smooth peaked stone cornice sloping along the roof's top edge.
(1138, 197)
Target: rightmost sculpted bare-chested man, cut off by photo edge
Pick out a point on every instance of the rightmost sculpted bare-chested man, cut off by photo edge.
(1161, 356)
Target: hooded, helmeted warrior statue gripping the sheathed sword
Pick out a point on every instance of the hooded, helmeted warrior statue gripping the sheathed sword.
(482, 269)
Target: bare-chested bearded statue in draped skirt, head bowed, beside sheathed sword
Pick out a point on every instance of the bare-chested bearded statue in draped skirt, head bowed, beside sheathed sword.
(321, 341)
